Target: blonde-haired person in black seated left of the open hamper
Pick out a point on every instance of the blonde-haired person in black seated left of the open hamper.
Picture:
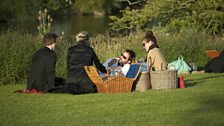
(80, 55)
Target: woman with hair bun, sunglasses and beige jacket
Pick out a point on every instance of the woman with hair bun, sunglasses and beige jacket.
(155, 57)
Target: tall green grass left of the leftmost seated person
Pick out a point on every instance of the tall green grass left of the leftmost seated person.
(15, 55)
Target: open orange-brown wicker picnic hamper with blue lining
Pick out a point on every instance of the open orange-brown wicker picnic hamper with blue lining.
(114, 84)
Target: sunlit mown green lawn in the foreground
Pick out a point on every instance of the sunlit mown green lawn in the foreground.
(200, 104)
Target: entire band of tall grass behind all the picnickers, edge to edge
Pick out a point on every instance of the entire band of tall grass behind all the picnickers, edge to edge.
(18, 48)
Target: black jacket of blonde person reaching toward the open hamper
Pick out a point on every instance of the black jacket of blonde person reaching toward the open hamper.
(79, 56)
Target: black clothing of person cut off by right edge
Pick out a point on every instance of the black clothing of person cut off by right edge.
(216, 65)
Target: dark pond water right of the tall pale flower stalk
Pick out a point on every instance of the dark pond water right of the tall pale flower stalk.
(75, 23)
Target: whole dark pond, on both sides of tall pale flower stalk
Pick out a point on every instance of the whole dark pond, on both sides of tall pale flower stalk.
(70, 24)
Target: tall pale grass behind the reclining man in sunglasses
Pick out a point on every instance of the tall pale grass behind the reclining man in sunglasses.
(106, 46)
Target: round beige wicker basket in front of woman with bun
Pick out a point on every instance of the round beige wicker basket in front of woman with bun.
(166, 79)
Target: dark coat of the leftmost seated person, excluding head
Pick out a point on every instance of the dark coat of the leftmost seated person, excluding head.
(42, 72)
